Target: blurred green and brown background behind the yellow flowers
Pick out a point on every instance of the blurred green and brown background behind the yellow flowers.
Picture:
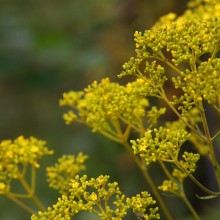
(52, 46)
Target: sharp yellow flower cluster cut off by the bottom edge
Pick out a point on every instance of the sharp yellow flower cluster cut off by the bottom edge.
(100, 197)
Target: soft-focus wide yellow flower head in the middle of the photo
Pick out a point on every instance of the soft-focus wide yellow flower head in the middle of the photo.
(104, 102)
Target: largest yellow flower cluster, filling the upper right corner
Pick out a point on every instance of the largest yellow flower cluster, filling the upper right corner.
(189, 46)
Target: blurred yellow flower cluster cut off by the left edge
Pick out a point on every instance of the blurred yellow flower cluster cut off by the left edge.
(16, 155)
